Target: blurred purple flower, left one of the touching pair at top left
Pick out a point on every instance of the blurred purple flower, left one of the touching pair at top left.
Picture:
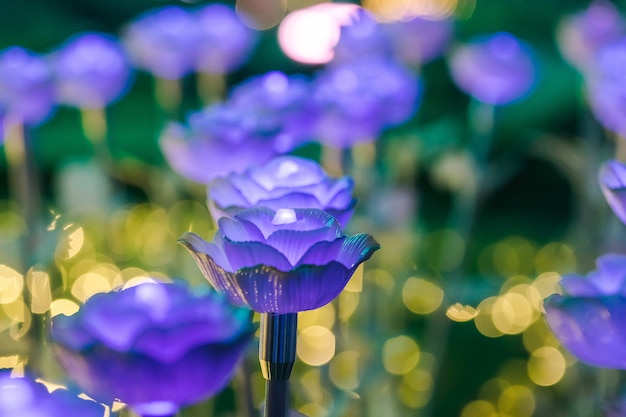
(163, 42)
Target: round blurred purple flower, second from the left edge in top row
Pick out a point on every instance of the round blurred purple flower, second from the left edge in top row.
(91, 71)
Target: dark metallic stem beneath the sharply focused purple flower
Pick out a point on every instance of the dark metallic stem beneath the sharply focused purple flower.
(277, 354)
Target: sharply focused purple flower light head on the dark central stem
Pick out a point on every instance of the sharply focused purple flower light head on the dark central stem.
(281, 261)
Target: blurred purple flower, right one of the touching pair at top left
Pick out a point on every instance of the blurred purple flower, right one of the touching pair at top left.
(224, 41)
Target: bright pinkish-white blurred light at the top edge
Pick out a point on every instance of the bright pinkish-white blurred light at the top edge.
(310, 35)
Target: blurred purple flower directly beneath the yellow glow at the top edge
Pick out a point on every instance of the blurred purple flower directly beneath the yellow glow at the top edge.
(418, 41)
